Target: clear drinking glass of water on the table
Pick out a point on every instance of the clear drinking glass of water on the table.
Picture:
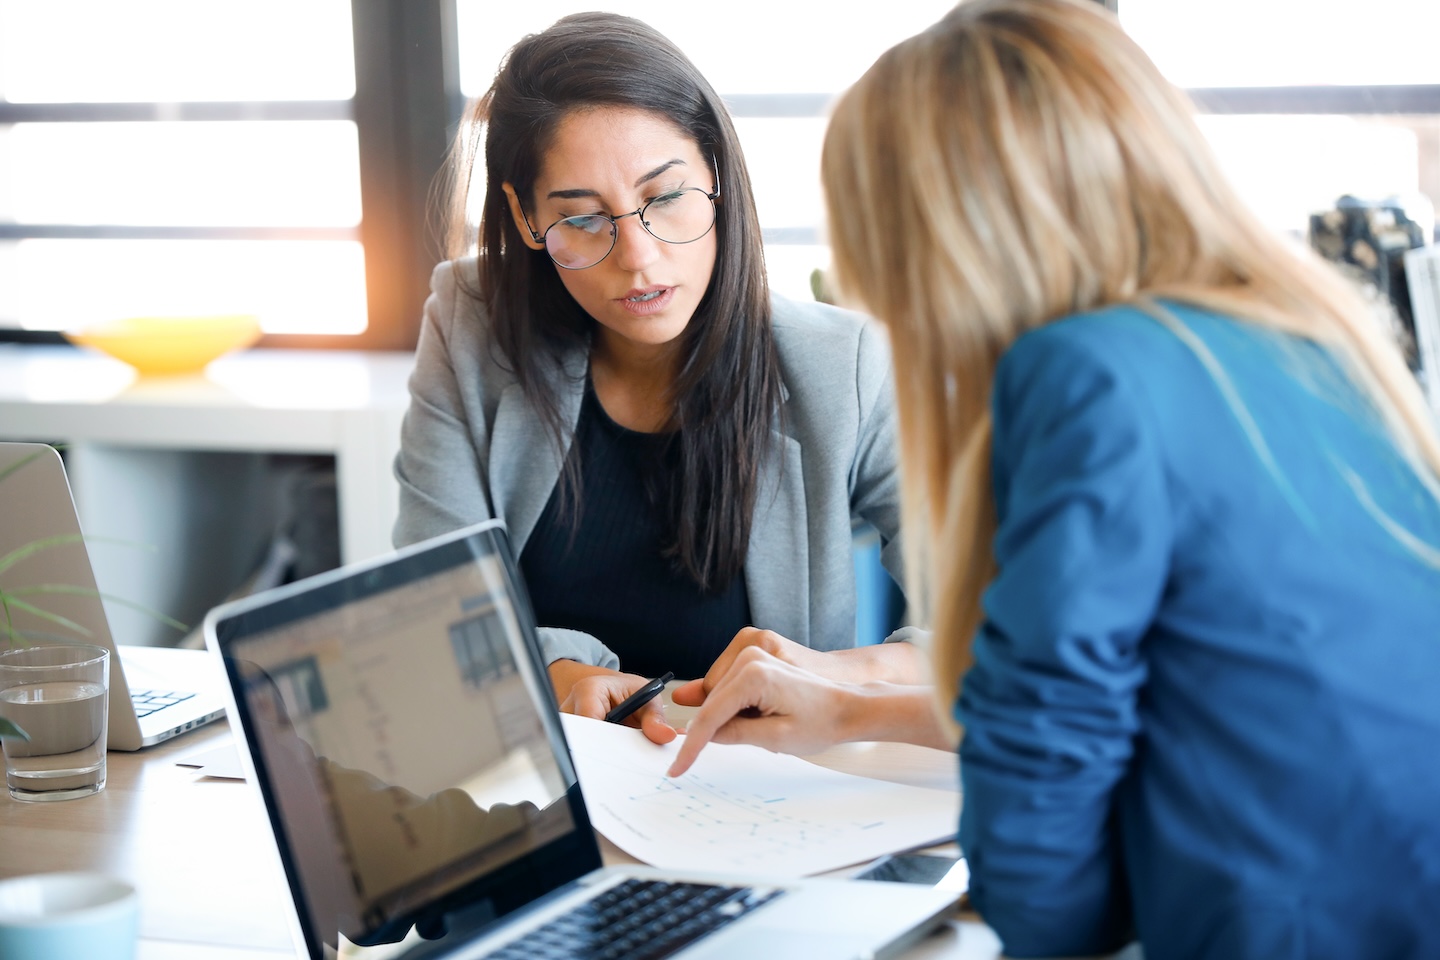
(60, 696)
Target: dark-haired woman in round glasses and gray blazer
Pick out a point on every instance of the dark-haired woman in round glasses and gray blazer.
(679, 456)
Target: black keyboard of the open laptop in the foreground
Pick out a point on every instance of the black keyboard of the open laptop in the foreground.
(637, 920)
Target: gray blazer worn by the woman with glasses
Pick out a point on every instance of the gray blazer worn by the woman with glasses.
(474, 448)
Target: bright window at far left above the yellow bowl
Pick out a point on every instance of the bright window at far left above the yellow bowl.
(181, 158)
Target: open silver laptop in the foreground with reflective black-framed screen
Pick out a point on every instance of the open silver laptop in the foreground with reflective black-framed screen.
(398, 723)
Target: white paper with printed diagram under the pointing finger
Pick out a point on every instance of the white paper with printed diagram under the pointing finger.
(744, 808)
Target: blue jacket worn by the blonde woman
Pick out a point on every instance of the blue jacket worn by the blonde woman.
(1206, 700)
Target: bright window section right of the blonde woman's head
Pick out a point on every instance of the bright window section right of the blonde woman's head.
(1307, 100)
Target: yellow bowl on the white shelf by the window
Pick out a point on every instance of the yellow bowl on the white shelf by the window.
(171, 345)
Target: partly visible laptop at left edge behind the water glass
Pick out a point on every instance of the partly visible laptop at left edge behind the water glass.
(155, 693)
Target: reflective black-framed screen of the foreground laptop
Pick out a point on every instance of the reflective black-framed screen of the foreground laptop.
(407, 742)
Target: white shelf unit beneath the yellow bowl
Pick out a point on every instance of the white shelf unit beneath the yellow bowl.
(138, 445)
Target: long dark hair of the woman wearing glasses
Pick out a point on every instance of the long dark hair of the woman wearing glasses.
(729, 386)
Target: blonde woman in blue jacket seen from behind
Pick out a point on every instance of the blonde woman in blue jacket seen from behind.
(1174, 504)
